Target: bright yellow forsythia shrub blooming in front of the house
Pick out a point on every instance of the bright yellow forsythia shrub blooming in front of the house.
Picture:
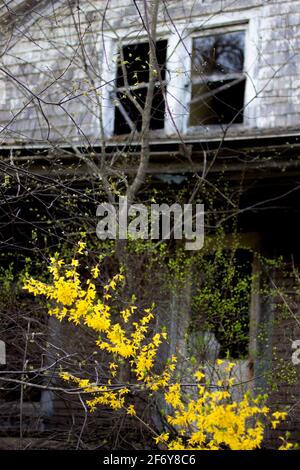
(209, 420)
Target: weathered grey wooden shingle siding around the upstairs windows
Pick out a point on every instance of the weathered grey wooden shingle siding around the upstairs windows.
(48, 95)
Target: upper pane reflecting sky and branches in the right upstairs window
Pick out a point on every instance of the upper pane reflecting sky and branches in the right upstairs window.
(218, 54)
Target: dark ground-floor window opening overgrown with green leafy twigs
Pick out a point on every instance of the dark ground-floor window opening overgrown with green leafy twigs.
(222, 306)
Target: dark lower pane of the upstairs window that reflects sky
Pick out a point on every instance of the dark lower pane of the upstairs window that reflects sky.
(219, 102)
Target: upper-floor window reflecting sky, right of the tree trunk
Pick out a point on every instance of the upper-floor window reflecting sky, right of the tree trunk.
(218, 81)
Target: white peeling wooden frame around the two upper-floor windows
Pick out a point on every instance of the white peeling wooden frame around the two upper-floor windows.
(178, 68)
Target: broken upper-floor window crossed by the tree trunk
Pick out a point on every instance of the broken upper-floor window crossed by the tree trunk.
(132, 83)
